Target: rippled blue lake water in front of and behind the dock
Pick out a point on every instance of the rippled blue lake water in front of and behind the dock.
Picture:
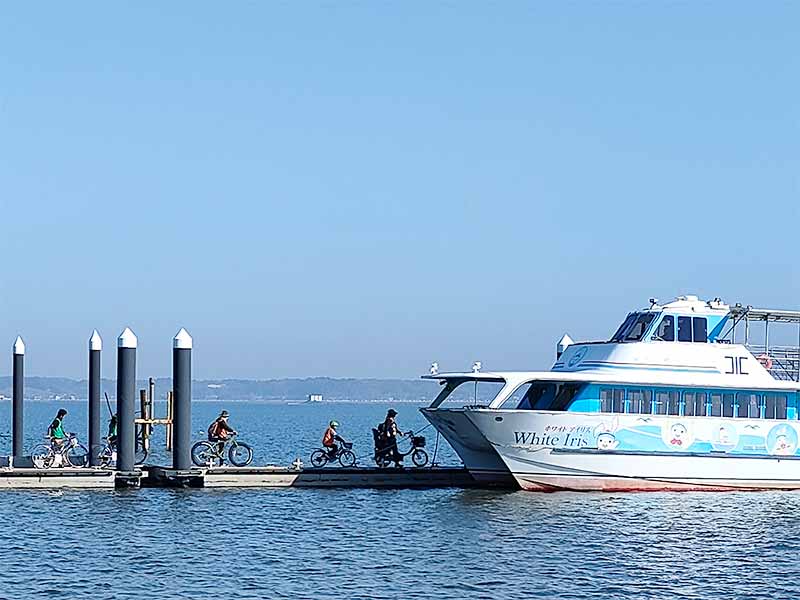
(449, 543)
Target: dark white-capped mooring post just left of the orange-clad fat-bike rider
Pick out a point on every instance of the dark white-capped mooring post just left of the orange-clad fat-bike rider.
(182, 400)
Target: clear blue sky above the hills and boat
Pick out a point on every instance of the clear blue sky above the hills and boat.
(357, 189)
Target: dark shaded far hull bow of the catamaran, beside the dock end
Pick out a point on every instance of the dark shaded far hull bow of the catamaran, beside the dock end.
(479, 457)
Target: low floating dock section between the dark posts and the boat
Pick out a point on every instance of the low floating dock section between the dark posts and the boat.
(280, 477)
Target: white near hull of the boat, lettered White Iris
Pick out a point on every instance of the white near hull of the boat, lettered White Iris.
(552, 452)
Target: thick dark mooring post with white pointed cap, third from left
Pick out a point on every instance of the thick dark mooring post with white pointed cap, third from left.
(126, 400)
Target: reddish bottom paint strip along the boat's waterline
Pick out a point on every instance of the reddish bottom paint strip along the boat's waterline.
(623, 484)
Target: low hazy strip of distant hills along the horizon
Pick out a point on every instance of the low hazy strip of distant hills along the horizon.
(397, 390)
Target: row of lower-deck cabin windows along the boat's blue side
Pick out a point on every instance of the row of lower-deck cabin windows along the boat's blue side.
(747, 405)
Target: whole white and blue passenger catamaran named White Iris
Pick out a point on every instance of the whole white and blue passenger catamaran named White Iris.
(670, 402)
